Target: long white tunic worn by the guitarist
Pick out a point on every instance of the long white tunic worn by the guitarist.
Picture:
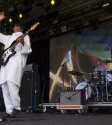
(13, 70)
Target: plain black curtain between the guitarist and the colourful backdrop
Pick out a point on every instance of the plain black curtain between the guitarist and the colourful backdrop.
(41, 55)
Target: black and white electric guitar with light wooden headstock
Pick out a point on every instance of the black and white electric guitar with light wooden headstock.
(9, 52)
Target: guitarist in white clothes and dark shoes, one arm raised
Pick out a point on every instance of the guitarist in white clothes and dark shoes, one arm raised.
(11, 73)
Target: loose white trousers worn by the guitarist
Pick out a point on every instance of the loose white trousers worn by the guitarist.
(11, 96)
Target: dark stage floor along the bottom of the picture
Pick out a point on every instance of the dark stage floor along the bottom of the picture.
(58, 119)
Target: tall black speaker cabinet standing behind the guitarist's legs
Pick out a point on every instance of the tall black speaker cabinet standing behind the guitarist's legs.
(30, 90)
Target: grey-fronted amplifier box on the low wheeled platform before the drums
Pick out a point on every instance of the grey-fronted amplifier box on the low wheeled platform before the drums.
(72, 97)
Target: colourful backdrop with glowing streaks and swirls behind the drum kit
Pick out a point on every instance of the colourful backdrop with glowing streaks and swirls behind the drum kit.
(84, 49)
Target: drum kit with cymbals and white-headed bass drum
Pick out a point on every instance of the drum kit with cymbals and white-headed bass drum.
(99, 85)
